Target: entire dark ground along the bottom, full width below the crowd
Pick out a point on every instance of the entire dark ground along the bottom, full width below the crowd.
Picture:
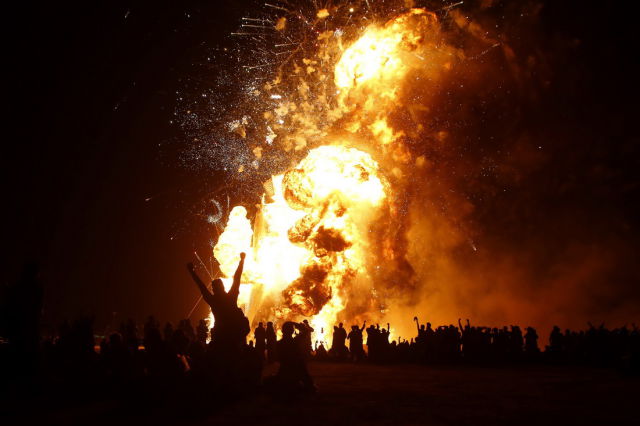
(374, 394)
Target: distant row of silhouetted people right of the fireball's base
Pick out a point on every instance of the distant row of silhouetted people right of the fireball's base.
(597, 346)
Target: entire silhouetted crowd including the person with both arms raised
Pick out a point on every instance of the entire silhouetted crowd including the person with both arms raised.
(167, 353)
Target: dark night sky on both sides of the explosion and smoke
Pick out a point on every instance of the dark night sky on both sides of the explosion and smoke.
(92, 92)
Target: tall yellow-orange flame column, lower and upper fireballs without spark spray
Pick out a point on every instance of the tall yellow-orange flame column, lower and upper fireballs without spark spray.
(310, 249)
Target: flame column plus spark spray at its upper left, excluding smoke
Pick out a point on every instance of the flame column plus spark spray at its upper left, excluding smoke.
(316, 123)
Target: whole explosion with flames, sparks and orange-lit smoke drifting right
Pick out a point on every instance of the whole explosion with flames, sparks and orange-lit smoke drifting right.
(378, 147)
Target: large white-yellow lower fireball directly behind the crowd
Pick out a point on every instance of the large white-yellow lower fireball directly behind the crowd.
(309, 242)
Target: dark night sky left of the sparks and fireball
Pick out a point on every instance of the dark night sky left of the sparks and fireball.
(93, 92)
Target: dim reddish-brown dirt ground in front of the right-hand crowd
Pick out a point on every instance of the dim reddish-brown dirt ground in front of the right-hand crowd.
(451, 395)
